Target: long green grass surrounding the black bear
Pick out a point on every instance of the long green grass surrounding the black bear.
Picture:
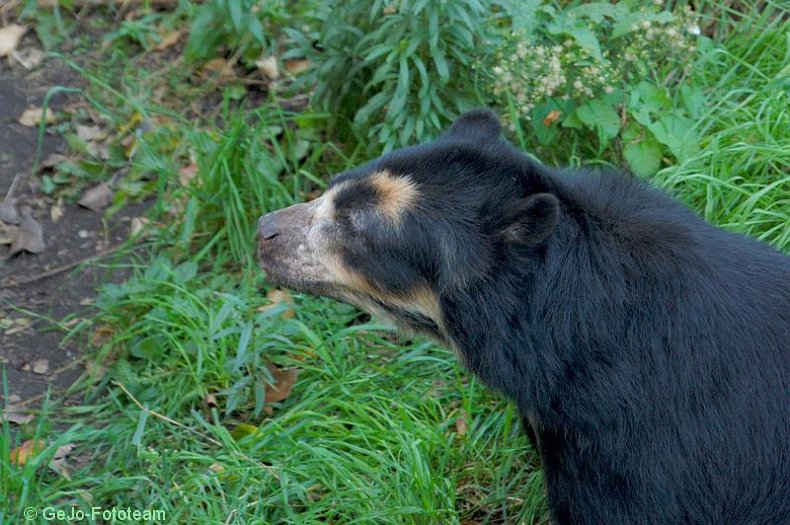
(376, 430)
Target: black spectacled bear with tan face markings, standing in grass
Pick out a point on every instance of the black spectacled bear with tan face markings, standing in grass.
(648, 351)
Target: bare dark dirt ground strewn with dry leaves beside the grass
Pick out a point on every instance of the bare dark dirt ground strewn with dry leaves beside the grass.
(48, 284)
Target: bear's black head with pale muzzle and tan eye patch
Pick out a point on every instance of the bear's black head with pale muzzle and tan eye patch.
(396, 235)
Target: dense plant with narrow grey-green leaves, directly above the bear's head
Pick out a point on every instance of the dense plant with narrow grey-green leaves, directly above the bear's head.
(395, 72)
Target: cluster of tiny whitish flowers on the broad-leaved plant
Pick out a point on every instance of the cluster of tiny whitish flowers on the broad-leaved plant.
(531, 72)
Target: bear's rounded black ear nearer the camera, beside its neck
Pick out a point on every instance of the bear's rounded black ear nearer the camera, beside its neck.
(534, 220)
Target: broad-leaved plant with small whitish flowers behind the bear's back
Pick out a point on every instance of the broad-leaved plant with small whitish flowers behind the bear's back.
(605, 68)
